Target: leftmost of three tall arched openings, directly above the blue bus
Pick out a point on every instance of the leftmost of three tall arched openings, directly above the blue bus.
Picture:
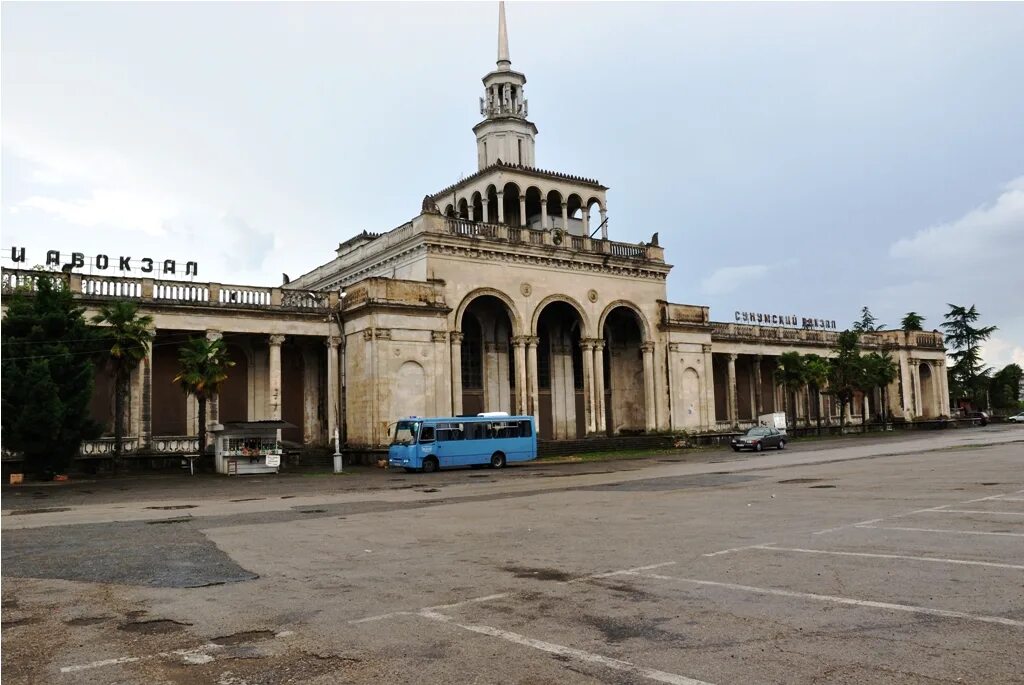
(488, 363)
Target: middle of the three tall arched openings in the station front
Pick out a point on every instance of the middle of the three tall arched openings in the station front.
(560, 372)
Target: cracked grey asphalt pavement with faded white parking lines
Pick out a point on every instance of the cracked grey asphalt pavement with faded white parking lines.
(862, 561)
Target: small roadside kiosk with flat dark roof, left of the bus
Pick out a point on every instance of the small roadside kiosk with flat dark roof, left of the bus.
(248, 447)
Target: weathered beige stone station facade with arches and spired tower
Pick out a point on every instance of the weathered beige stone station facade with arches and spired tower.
(505, 293)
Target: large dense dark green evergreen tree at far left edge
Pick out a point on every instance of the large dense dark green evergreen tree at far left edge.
(49, 375)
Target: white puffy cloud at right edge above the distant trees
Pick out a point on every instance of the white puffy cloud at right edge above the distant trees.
(980, 235)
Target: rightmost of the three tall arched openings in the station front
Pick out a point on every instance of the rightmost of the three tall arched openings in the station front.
(624, 379)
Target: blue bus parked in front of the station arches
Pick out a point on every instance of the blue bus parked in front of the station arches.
(494, 440)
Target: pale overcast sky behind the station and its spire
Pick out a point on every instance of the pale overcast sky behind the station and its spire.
(804, 159)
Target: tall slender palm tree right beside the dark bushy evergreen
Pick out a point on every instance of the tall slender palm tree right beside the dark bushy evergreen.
(130, 338)
